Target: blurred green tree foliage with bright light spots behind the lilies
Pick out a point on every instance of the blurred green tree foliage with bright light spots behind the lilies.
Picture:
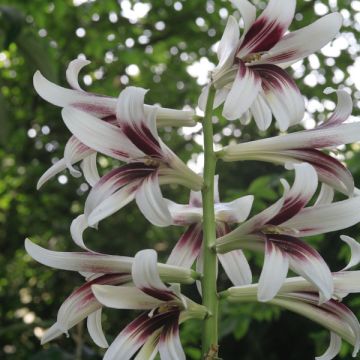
(165, 46)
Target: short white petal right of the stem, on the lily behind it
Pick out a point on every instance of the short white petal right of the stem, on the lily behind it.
(235, 211)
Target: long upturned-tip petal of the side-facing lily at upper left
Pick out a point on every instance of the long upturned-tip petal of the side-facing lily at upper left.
(59, 96)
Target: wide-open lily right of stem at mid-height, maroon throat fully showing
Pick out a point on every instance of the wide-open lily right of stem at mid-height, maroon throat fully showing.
(277, 231)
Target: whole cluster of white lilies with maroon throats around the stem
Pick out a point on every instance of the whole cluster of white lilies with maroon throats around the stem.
(250, 78)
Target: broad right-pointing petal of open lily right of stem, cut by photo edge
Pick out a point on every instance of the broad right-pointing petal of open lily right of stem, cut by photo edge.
(326, 218)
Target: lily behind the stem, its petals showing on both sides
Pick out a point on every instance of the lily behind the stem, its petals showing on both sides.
(189, 247)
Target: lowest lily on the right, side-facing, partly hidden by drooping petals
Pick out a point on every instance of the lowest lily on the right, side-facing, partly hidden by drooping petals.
(299, 295)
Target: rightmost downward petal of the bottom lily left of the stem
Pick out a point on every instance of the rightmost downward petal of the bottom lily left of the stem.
(169, 343)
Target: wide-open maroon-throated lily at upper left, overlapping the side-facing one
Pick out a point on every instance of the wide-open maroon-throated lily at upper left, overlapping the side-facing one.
(149, 163)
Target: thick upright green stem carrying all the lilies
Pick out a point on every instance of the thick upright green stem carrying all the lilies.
(209, 290)
